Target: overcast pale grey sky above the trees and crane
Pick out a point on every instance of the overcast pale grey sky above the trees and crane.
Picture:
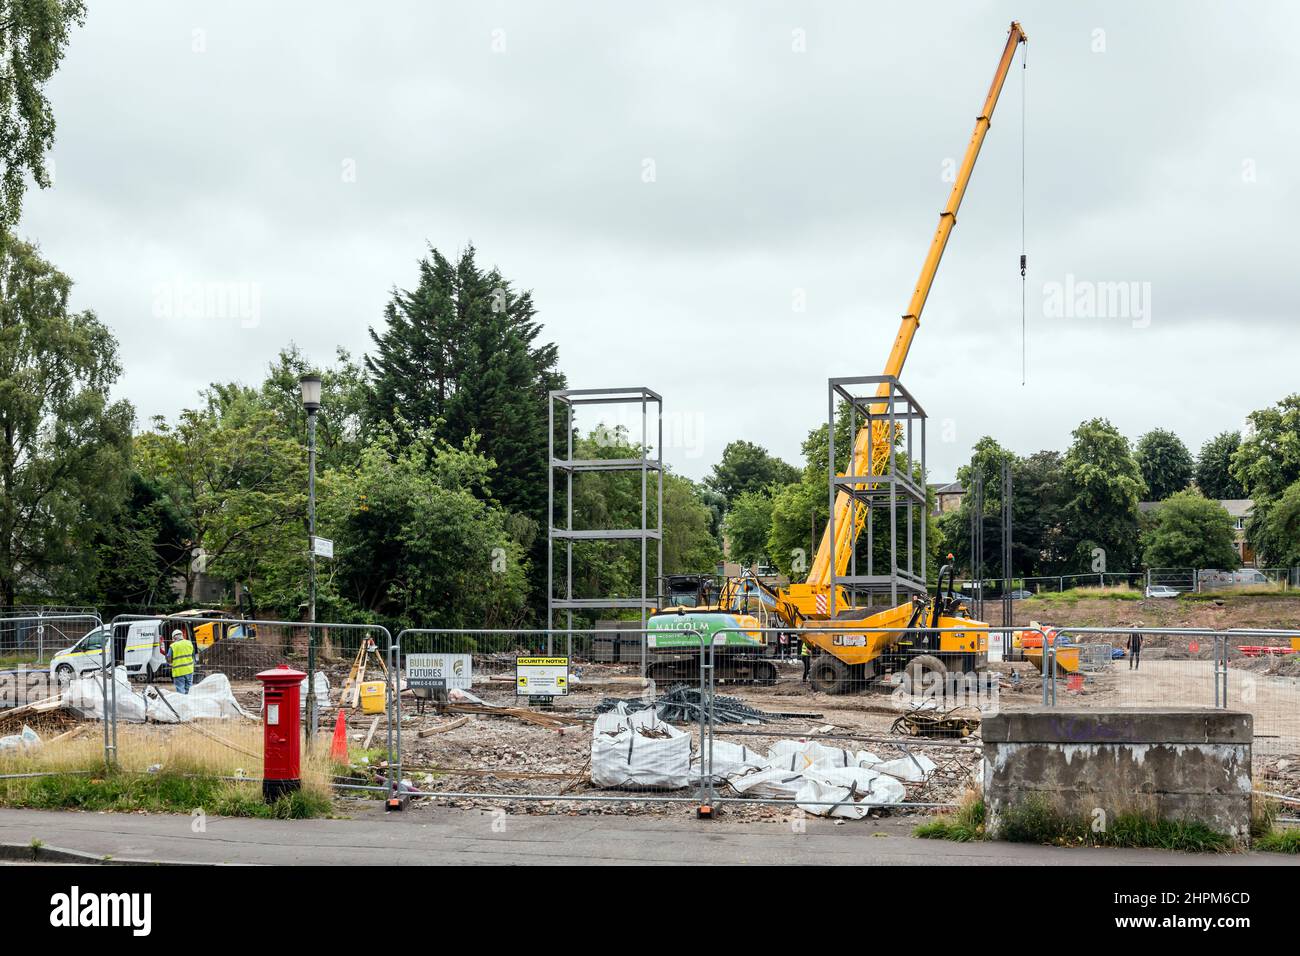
(677, 181)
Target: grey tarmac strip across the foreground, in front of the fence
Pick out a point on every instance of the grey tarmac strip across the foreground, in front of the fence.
(426, 836)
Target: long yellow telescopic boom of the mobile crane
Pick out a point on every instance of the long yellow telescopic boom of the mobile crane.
(872, 444)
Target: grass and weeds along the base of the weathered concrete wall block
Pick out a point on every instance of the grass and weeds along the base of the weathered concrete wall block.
(1037, 821)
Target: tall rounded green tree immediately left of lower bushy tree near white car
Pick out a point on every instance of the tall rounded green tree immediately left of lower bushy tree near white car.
(1106, 486)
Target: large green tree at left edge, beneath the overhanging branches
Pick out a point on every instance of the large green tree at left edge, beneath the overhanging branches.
(64, 447)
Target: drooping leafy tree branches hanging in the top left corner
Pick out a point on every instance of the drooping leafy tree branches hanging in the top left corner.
(33, 38)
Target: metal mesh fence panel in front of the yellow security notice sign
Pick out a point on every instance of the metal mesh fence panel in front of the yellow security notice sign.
(484, 741)
